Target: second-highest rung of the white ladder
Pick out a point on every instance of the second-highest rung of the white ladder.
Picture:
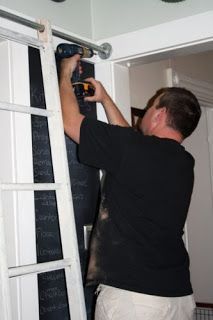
(25, 109)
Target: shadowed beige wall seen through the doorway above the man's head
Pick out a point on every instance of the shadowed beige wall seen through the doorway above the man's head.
(145, 79)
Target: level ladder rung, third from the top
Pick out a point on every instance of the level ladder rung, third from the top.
(29, 186)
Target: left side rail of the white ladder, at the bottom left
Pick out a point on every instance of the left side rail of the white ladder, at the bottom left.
(5, 299)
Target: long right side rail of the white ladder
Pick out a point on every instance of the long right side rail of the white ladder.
(61, 171)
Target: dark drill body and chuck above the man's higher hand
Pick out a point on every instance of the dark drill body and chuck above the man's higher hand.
(66, 50)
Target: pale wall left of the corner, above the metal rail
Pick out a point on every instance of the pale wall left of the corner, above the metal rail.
(72, 15)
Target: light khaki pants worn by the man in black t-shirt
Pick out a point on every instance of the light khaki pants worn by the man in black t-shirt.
(118, 304)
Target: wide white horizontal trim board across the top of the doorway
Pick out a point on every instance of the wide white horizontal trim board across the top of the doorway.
(163, 38)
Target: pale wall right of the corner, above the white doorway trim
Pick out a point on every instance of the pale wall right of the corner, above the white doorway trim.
(111, 17)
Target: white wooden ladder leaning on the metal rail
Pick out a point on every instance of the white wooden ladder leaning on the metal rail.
(70, 262)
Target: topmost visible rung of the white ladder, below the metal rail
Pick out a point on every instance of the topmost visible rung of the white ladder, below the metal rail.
(21, 38)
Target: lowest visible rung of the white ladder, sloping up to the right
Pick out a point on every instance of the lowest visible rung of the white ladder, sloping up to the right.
(39, 268)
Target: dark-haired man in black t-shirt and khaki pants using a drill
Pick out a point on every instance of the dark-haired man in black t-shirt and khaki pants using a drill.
(138, 256)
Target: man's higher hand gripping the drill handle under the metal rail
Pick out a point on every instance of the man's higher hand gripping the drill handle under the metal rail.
(68, 65)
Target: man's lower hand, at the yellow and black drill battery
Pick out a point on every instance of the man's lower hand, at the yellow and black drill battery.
(100, 94)
